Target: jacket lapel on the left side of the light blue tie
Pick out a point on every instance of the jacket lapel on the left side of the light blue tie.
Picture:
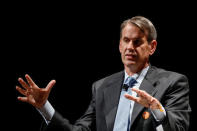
(111, 99)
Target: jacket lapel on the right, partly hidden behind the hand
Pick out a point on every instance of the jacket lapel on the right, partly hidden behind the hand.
(146, 85)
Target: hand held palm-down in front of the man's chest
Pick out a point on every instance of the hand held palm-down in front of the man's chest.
(145, 99)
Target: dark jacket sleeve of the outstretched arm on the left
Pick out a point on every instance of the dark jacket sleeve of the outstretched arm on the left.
(85, 123)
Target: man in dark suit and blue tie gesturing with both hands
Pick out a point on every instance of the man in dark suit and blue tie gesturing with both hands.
(140, 98)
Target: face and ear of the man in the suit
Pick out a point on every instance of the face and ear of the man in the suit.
(134, 47)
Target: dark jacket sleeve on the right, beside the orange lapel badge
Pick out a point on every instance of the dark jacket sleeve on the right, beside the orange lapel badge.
(176, 104)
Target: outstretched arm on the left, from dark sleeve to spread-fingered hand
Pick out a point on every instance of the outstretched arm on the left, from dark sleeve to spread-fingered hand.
(38, 98)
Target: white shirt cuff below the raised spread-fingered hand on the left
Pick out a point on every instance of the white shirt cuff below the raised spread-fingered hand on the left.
(47, 112)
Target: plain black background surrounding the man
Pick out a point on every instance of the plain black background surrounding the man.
(77, 44)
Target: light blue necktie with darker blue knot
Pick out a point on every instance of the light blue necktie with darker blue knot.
(122, 121)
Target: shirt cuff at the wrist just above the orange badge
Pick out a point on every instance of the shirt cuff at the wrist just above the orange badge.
(159, 114)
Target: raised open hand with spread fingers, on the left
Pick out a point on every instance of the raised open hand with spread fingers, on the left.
(33, 94)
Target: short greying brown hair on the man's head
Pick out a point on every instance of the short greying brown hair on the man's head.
(145, 25)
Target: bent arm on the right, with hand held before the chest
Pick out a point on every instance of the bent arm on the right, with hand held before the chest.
(175, 104)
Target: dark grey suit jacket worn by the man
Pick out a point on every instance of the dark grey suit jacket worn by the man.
(170, 88)
